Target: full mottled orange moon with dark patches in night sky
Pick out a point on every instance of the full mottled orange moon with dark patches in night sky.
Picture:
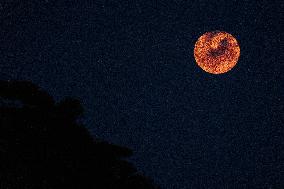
(216, 52)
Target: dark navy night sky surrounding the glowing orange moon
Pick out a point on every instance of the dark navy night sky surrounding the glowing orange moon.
(131, 64)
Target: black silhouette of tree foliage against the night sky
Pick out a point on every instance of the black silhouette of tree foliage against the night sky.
(43, 146)
